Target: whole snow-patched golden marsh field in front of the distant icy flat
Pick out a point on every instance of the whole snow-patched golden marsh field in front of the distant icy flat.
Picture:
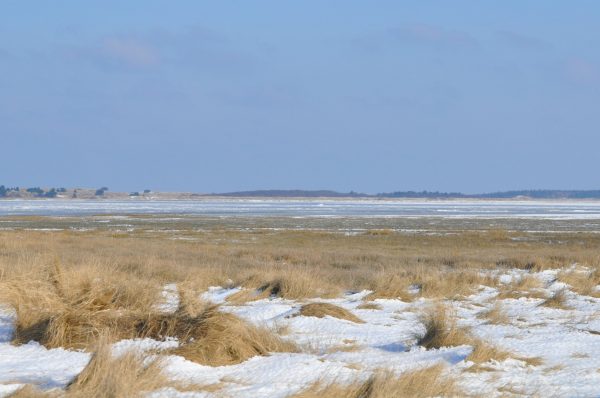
(119, 306)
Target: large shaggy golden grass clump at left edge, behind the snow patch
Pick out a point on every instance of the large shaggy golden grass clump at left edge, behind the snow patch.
(73, 308)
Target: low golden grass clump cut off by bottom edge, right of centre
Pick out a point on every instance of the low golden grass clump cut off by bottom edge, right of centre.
(420, 383)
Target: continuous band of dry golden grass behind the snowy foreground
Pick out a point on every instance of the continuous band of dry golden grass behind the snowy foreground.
(289, 264)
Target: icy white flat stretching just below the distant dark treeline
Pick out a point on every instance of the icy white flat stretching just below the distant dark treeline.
(323, 208)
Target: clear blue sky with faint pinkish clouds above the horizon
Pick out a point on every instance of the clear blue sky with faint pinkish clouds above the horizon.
(370, 96)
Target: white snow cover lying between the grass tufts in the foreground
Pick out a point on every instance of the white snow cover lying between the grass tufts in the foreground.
(564, 341)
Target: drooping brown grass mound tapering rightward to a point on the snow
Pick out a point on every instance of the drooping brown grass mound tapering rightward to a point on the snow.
(214, 337)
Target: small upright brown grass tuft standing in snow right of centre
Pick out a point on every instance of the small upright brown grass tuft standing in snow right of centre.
(441, 329)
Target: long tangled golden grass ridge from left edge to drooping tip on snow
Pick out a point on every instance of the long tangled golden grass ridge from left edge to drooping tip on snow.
(73, 309)
